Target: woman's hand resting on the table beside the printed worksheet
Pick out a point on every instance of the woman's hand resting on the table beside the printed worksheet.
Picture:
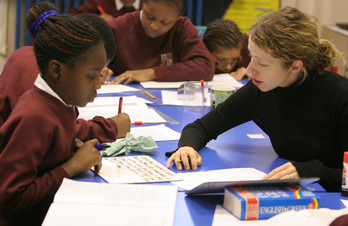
(187, 157)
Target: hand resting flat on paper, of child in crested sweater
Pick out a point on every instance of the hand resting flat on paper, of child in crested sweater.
(135, 75)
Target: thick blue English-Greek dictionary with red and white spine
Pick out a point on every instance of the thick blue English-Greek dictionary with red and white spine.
(263, 202)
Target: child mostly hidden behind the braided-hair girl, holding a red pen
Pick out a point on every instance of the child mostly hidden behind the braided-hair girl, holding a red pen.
(21, 71)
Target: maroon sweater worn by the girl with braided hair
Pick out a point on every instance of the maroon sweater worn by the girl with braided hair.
(35, 140)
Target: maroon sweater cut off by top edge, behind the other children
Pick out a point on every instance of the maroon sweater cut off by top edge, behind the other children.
(109, 6)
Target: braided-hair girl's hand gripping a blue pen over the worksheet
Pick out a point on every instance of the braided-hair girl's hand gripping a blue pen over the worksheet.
(84, 158)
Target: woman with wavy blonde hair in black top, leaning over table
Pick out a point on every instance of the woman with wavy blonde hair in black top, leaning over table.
(302, 107)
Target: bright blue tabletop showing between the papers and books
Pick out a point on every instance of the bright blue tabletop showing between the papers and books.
(233, 149)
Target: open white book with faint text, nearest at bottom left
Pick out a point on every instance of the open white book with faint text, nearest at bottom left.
(86, 203)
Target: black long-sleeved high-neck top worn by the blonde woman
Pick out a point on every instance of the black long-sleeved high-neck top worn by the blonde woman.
(307, 123)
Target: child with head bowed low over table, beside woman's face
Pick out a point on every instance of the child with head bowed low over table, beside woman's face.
(228, 46)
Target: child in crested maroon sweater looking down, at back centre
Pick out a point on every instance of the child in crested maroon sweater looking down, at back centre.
(157, 44)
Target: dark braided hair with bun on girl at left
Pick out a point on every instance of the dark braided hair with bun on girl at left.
(61, 37)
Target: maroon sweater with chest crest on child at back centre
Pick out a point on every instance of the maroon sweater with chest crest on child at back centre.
(178, 55)
